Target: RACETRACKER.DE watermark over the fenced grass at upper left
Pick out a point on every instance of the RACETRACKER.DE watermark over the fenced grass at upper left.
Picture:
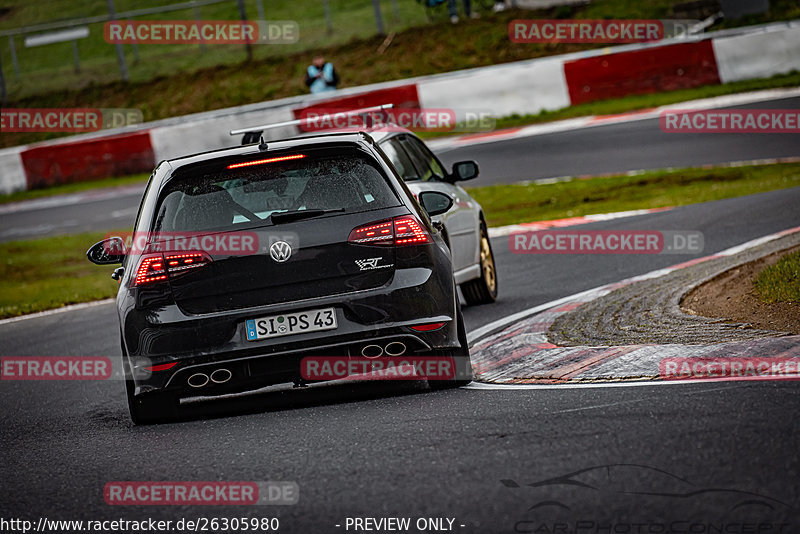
(201, 31)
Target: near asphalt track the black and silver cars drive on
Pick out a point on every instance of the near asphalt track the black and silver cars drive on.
(652, 458)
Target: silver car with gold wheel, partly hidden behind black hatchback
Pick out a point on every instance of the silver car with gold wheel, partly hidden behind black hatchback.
(463, 224)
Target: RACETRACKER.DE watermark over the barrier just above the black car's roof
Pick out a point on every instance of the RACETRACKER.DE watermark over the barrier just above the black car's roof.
(398, 119)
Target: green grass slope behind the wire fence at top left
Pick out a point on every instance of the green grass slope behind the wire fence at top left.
(51, 66)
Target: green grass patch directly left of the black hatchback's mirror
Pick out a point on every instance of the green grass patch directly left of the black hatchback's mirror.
(51, 272)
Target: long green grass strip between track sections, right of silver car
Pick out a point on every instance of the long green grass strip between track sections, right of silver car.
(516, 203)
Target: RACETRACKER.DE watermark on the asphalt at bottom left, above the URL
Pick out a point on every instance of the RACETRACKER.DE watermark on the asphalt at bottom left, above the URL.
(182, 493)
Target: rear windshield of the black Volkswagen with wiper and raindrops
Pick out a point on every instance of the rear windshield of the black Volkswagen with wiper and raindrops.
(341, 181)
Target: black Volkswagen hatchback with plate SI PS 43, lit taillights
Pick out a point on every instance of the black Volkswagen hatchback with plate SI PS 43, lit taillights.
(247, 260)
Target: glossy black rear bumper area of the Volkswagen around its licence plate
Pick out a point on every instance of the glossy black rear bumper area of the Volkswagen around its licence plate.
(204, 343)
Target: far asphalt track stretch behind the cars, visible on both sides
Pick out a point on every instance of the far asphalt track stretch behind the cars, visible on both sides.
(604, 149)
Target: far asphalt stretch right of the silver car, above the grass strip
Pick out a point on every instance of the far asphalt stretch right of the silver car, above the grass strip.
(613, 148)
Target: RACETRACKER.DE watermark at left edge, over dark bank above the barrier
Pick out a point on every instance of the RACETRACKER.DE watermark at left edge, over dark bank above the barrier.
(73, 120)
